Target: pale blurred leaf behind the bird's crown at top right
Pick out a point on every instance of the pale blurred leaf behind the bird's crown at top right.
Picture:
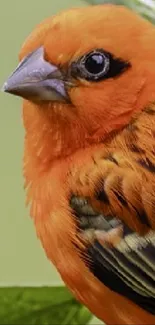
(145, 8)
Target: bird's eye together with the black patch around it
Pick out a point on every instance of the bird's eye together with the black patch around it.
(97, 65)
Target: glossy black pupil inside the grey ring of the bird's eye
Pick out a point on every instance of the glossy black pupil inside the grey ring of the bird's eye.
(94, 63)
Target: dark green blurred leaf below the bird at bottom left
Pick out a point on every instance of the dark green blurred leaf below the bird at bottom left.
(43, 305)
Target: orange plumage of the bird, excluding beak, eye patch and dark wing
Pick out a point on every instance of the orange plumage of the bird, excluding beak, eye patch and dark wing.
(106, 133)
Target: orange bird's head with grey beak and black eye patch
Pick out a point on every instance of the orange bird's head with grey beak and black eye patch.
(86, 71)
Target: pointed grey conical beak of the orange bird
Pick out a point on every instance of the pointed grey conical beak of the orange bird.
(35, 78)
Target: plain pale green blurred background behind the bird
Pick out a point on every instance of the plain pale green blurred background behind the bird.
(22, 260)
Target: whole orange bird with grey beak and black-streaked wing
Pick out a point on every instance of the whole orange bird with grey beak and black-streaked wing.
(87, 77)
